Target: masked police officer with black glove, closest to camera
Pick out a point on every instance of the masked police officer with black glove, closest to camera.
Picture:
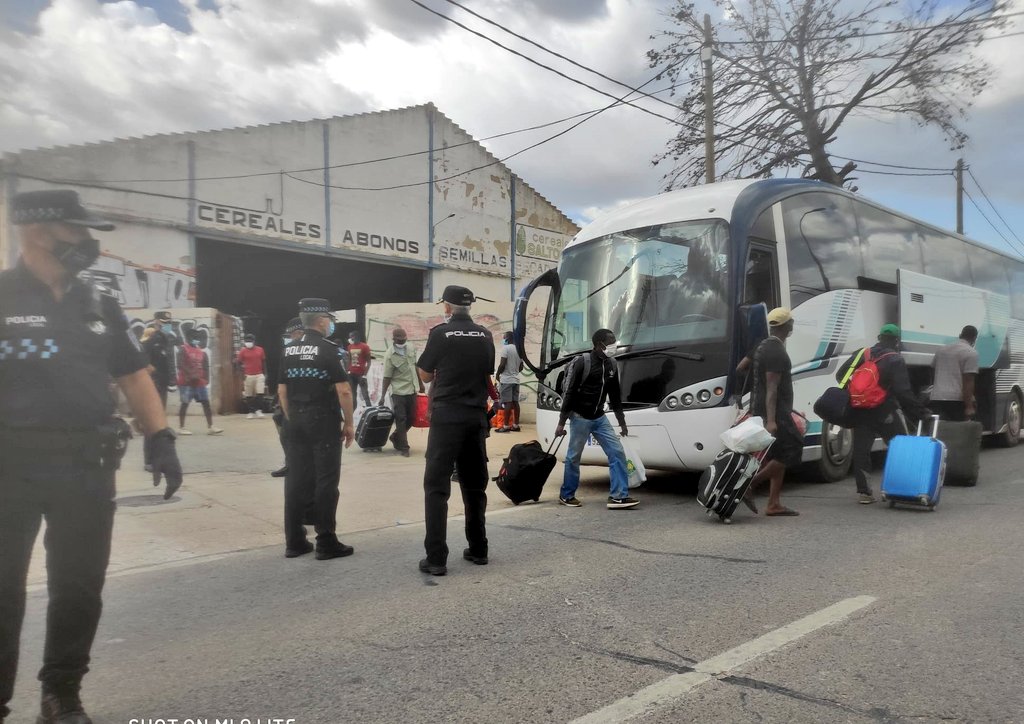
(62, 340)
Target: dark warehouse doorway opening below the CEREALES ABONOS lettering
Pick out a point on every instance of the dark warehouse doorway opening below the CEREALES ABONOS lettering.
(264, 286)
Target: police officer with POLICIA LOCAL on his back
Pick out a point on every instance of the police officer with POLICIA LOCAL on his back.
(317, 400)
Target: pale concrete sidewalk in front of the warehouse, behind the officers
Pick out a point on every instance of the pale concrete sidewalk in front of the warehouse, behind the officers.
(230, 502)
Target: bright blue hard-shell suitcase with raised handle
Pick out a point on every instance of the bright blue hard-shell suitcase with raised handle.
(915, 470)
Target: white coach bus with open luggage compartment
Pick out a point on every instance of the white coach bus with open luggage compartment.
(685, 281)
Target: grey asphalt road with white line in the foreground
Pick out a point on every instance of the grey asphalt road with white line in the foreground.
(582, 610)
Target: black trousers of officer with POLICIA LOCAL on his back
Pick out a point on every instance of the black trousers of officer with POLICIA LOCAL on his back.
(314, 472)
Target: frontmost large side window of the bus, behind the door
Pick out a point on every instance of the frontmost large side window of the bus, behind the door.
(822, 244)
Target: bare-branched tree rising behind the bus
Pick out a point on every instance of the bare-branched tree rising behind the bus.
(788, 74)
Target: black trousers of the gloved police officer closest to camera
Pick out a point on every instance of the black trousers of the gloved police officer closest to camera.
(76, 496)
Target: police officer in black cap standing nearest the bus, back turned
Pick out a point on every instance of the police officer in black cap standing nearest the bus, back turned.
(459, 360)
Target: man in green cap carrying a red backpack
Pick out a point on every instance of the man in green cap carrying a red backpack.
(879, 388)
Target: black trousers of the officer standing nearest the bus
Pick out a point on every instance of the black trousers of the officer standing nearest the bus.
(450, 445)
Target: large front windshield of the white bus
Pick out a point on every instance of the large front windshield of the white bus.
(657, 285)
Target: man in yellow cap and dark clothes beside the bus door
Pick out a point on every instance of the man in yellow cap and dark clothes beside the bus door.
(772, 400)
